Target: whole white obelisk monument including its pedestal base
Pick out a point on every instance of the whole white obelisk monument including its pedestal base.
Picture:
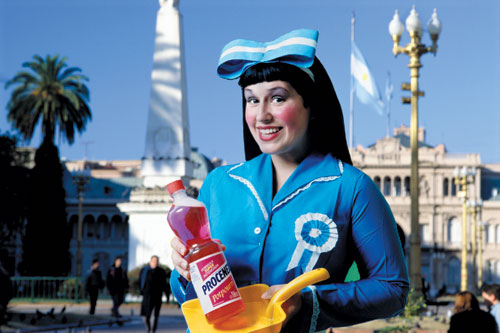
(167, 153)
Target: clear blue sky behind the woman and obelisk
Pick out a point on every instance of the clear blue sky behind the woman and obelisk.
(112, 41)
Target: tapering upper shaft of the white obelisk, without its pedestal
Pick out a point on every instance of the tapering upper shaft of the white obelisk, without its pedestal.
(167, 152)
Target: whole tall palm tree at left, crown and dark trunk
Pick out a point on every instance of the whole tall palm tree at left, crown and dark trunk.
(55, 97)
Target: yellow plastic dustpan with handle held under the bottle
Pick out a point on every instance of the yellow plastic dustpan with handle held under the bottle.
(260, 315)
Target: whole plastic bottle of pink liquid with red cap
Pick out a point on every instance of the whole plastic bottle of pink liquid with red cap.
(211, 277)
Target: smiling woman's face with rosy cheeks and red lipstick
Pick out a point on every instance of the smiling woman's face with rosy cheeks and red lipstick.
(277, 118)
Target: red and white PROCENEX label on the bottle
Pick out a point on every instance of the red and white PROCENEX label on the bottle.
(213, 282)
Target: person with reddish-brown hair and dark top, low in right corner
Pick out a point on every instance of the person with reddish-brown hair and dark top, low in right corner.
(468, 317)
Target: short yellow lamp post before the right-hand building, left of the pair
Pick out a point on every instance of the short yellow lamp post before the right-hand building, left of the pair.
(463, 177)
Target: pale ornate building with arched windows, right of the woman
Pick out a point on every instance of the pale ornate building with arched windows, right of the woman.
(387, 162)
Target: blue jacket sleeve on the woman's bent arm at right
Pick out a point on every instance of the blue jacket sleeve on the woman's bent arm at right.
(383, 288)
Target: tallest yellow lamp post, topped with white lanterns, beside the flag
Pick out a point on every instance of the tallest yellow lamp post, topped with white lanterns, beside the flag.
(415, 49)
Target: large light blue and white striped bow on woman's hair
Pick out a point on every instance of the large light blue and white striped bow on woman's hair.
(297, 48)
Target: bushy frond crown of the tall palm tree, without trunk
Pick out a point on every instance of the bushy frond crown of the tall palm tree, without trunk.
(52, 94)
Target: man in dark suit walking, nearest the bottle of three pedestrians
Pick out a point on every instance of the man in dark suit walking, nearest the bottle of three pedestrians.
(153, 283)
